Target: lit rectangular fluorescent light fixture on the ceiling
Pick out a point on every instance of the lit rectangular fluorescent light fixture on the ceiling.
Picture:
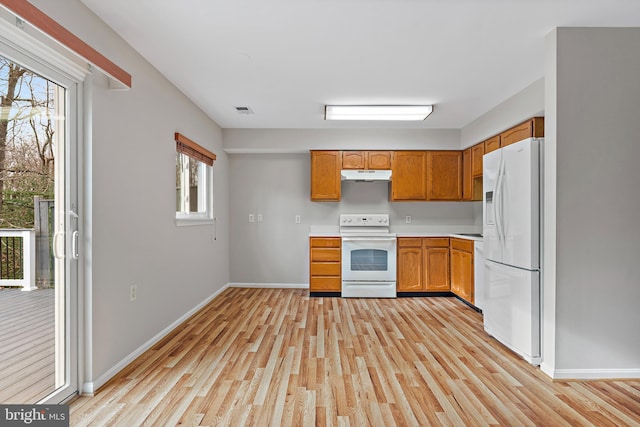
(377, 112)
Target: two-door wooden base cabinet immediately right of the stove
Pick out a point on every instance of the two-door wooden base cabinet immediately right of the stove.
(423, 264)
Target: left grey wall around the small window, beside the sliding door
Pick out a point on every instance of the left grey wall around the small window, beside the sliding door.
(134, 239)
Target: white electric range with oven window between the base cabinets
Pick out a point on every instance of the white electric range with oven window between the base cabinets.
(368, 256)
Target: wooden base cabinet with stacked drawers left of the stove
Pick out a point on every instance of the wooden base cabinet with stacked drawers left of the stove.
(325, 269)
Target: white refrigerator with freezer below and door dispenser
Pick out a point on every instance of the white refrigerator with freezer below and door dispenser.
(511, 229)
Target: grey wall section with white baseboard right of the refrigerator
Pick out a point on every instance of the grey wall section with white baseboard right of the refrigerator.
(595, 128)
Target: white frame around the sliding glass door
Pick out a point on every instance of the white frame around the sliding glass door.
(43, 58)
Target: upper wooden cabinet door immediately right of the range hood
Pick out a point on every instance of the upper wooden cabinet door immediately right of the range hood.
(408, 178)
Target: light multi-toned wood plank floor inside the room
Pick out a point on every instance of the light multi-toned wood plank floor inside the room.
(277, 357)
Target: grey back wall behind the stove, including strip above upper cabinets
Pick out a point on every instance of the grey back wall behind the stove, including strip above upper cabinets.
(277, 185)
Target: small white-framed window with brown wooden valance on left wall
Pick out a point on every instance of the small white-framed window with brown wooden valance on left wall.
(194, 183)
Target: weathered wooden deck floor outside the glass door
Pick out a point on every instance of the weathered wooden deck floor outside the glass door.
(26, 345)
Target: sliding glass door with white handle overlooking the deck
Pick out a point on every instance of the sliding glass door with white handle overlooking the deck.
(39, 230)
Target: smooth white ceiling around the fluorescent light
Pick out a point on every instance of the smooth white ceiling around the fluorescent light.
(286, 59)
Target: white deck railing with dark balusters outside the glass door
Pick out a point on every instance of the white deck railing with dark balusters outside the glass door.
(17, 258)
